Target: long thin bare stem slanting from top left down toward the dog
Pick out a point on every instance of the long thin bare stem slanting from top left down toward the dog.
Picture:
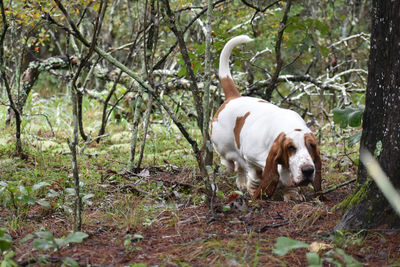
(75, 31)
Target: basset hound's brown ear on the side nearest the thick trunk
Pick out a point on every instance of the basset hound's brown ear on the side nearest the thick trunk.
(314, 151)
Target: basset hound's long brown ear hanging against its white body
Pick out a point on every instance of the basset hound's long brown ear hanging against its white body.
(270, 175)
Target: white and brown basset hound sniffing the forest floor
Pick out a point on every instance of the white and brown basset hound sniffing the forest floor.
(266, 145)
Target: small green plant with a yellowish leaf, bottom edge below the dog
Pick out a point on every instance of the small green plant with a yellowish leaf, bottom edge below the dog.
(334, 255)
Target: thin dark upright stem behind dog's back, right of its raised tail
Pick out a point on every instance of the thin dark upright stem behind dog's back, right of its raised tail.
(279, 61)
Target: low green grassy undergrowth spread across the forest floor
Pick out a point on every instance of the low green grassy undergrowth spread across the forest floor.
(40, 186)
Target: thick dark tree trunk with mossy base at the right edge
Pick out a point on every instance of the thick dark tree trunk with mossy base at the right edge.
(381, 121)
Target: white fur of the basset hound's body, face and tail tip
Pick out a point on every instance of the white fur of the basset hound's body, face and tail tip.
(262, 125)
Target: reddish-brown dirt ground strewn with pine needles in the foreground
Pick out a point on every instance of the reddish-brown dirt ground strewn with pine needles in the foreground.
(187, 235)
